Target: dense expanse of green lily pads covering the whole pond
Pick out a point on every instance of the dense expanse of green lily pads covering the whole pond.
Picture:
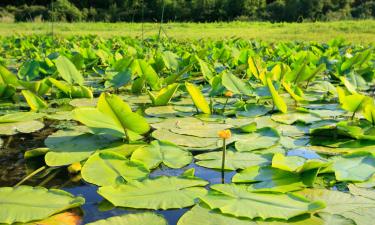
(240, 132)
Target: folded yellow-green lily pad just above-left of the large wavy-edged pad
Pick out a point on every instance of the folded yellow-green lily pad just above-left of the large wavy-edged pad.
(107, 168)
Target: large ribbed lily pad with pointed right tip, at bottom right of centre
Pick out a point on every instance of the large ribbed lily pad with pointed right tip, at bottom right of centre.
(238, 201)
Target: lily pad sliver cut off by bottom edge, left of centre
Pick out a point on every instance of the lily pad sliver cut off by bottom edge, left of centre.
(146, 218)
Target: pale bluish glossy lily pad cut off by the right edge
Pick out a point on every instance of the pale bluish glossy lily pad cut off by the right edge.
(357, 167)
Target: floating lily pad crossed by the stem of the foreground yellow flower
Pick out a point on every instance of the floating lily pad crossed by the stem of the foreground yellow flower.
(233, 160)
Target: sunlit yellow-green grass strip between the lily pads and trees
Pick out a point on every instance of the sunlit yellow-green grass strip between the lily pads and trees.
(353, 31)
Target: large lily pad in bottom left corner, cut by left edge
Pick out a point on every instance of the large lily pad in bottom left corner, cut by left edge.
(24, 204)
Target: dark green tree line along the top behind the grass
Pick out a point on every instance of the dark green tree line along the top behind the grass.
(187, 10)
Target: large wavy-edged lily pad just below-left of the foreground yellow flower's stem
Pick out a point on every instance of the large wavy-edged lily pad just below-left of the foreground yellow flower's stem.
(159, 193)
